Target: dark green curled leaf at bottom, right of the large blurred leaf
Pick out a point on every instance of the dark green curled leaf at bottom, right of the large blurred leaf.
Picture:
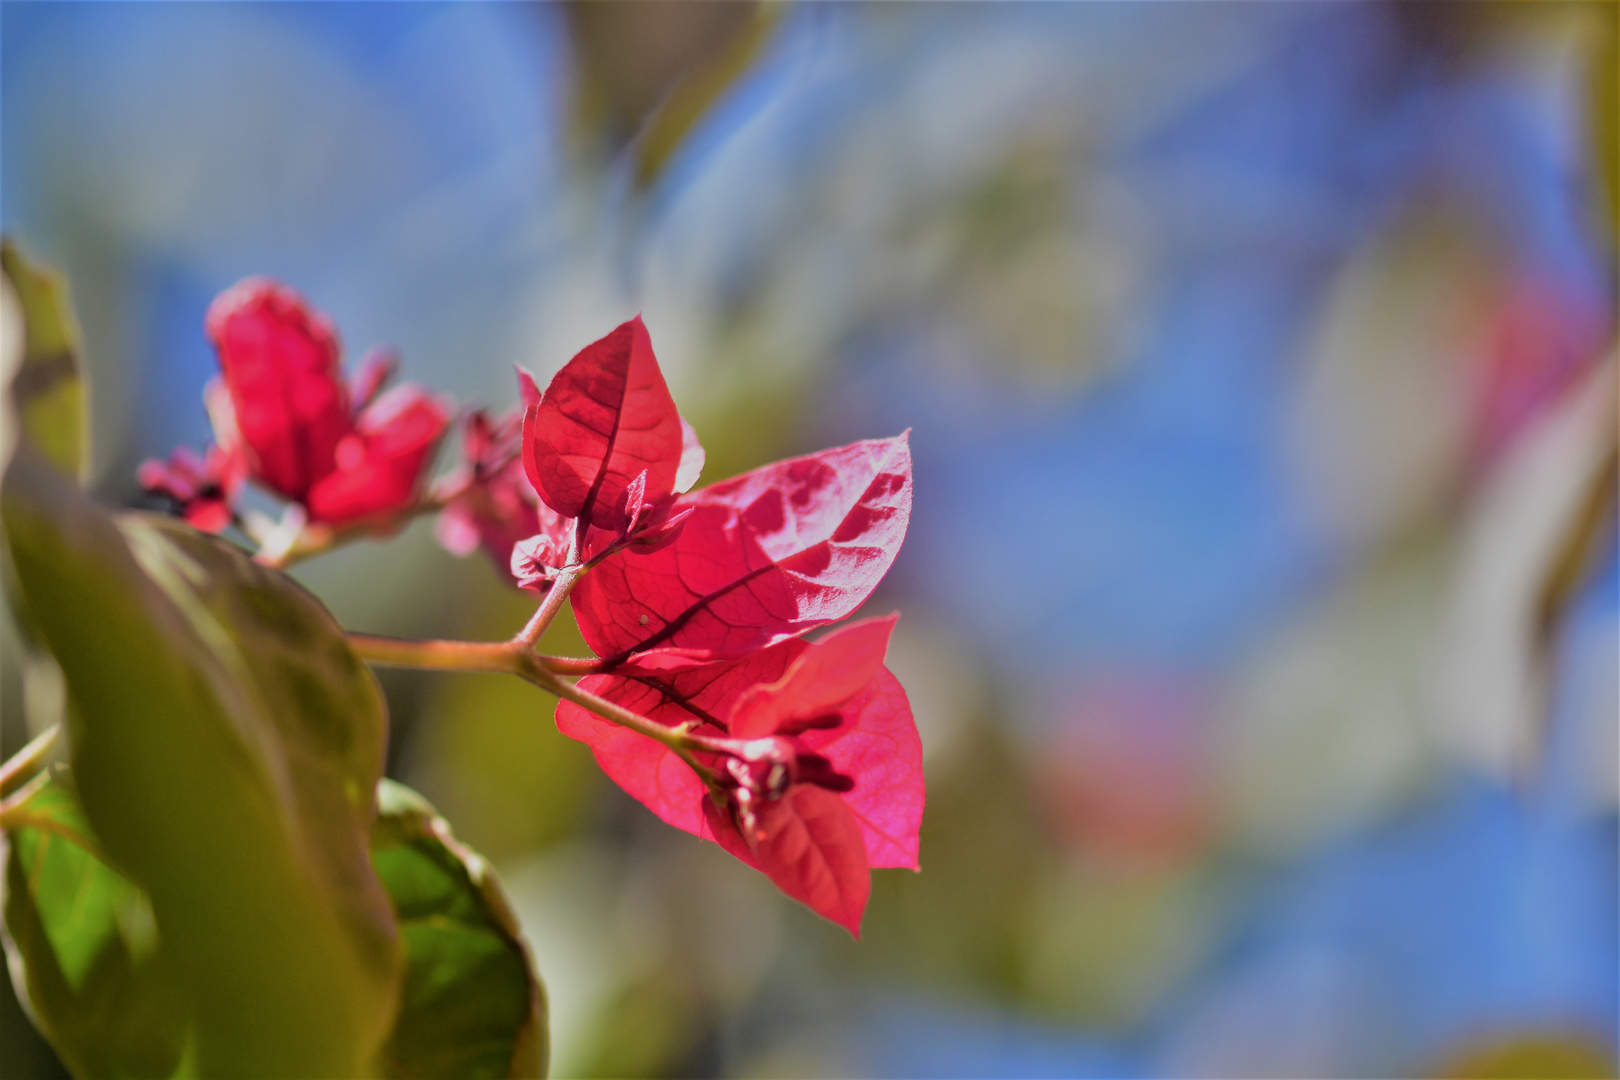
(472, 1005)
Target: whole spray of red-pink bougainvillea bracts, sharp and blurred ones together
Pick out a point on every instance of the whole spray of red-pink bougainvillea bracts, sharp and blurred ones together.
(707, 702)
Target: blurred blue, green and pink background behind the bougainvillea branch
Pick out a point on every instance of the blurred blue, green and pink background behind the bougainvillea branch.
(1261, 595)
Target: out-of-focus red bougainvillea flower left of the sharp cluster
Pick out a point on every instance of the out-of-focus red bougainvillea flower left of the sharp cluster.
(288, 414)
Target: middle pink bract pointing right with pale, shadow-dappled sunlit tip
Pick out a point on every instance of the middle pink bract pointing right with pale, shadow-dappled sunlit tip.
(762, 558)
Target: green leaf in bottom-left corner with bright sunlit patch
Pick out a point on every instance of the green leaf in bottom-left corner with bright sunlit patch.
(85, 946)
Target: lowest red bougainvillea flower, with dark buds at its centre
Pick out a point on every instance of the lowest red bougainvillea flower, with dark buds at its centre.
(799, 705)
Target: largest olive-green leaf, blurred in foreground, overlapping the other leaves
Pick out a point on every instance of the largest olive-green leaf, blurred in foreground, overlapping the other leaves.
(226, 749)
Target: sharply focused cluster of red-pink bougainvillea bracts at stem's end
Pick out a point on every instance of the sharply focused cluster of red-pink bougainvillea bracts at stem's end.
(699, 605)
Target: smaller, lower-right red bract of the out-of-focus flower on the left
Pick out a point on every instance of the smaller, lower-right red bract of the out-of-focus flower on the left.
(380, 464)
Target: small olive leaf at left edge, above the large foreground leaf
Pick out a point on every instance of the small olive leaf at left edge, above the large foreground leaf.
(48, 388)
